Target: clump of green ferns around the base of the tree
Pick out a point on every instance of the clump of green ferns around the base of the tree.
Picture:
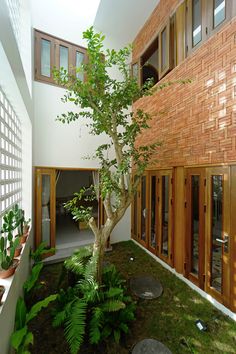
(102, 311)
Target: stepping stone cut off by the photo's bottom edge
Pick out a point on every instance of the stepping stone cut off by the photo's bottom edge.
(150, 346)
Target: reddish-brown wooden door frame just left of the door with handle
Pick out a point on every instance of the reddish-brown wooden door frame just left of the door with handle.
(197, 280)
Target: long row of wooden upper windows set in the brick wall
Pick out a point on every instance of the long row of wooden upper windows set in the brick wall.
(193, 22)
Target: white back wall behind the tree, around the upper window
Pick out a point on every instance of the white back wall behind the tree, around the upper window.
(56, 144)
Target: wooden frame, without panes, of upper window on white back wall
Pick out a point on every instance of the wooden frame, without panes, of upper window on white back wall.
(55, 56)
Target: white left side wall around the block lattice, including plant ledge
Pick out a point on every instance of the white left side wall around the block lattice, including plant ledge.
(15, 81)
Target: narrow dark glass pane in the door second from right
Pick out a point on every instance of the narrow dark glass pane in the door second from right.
(195, 223)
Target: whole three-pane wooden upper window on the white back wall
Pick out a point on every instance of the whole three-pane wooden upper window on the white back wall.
(51, 52)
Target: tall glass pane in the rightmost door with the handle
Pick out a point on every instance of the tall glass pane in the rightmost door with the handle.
(216, 232)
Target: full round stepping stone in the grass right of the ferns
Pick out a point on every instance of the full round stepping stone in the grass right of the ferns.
(146, 287)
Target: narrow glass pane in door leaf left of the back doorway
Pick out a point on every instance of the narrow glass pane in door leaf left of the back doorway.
(46, 209)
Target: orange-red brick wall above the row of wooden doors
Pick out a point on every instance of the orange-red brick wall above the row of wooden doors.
(196, 122)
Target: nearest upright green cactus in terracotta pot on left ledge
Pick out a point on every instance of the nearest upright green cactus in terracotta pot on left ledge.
(8, 263)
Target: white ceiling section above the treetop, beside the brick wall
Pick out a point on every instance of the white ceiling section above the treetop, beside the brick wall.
(122, 19)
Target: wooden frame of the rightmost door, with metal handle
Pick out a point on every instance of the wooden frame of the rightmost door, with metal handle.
(225, 296)
